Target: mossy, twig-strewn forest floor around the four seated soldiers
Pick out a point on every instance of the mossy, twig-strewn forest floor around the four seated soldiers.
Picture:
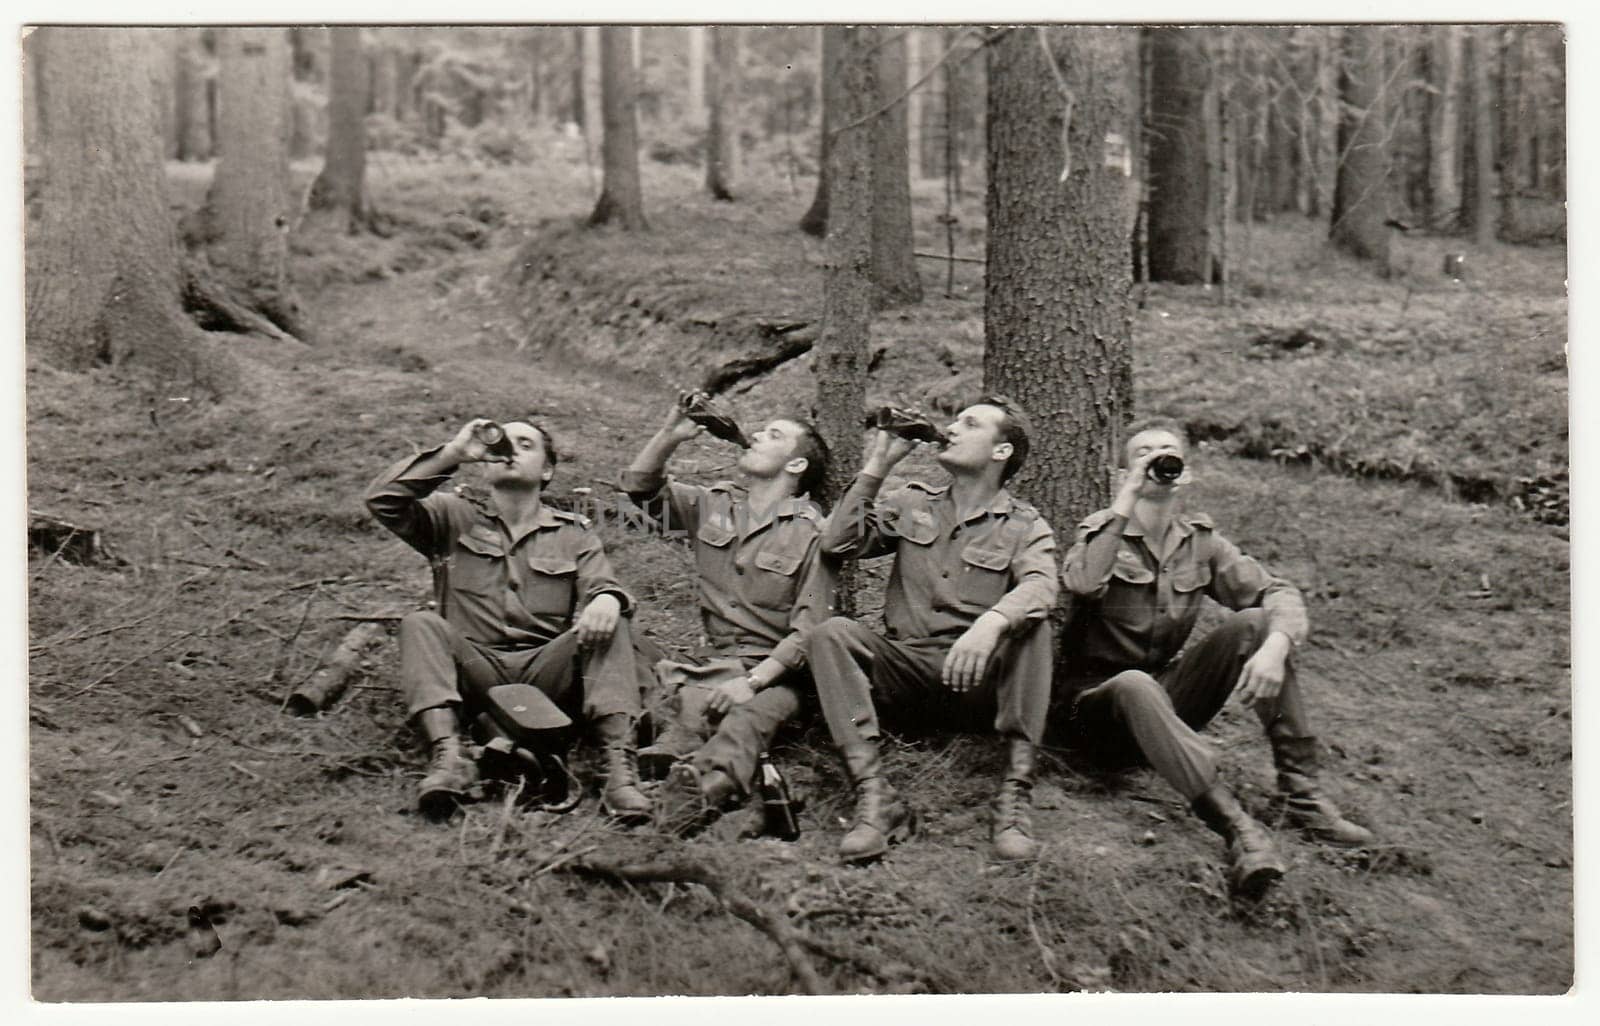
(1398, 447)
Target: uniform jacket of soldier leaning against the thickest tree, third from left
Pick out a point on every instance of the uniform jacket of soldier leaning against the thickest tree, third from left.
(948, 572)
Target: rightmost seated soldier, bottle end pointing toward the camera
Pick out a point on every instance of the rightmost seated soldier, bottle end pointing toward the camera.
(1138, 572)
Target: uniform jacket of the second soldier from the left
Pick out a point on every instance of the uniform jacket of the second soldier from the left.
(762, 583)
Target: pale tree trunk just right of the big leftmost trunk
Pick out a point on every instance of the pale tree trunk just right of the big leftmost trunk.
(250, 210)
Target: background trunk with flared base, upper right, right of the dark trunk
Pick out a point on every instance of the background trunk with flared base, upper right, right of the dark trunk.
(1359, 193)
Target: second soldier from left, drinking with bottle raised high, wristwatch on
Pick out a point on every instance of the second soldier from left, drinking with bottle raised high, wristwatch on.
(761, 590)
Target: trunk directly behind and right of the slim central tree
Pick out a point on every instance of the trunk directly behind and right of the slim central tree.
(894, 244)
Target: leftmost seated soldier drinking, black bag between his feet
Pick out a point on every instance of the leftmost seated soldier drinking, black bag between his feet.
(526, 596)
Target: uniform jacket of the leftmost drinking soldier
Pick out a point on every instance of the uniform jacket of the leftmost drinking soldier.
(495, 587)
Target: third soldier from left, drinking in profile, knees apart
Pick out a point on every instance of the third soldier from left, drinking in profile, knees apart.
(967, 643)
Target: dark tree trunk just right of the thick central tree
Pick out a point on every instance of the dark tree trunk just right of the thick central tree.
(1180, 234)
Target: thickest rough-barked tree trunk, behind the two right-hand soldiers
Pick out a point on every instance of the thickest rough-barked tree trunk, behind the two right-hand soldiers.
(1058, 286)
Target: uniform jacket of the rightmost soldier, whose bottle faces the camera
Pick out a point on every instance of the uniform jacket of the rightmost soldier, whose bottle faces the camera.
(1137, 612)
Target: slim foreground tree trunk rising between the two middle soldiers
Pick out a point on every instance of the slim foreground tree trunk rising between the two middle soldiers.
(841, 356)
